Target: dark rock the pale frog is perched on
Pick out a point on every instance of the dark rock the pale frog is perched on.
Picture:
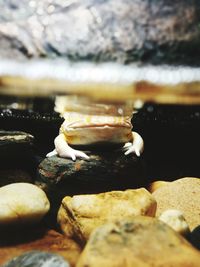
(104, 171)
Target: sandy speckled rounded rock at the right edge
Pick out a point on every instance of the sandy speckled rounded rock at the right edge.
(182, 194)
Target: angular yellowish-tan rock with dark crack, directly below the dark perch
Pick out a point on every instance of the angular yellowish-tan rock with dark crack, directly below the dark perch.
(79, 215)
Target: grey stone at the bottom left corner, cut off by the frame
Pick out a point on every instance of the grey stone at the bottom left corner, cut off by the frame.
(37, 259)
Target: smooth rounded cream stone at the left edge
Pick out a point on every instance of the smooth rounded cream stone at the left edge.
(22, 203)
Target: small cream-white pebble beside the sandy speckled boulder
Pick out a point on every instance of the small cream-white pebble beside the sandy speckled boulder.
(175, 219)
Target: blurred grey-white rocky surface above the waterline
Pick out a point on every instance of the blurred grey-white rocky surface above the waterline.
(124, 31)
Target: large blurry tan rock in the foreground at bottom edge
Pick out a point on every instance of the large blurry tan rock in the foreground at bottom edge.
(141, 242)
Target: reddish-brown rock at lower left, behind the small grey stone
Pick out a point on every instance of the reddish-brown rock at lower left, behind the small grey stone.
(15, 242)
